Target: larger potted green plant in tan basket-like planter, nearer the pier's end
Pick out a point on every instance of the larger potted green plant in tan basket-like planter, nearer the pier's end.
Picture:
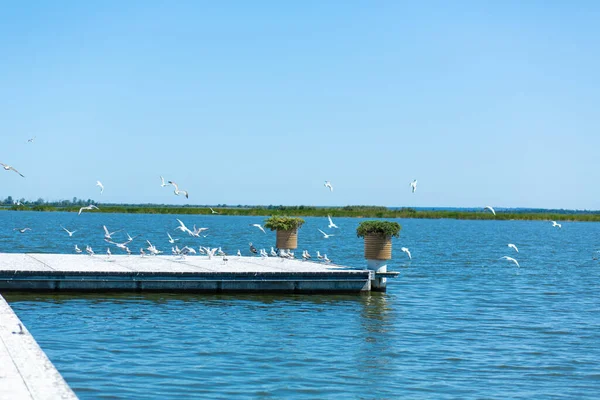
(378, 238)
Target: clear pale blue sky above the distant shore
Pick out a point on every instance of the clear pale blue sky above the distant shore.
(259, 102)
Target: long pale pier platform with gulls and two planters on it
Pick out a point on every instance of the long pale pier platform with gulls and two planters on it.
(78, 272)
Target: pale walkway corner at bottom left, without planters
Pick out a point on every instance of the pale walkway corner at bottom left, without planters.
(25, 371)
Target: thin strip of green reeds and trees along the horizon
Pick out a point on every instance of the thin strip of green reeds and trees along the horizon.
(348, 211)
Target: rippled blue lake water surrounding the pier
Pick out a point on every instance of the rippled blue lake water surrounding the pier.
(457, 323)
